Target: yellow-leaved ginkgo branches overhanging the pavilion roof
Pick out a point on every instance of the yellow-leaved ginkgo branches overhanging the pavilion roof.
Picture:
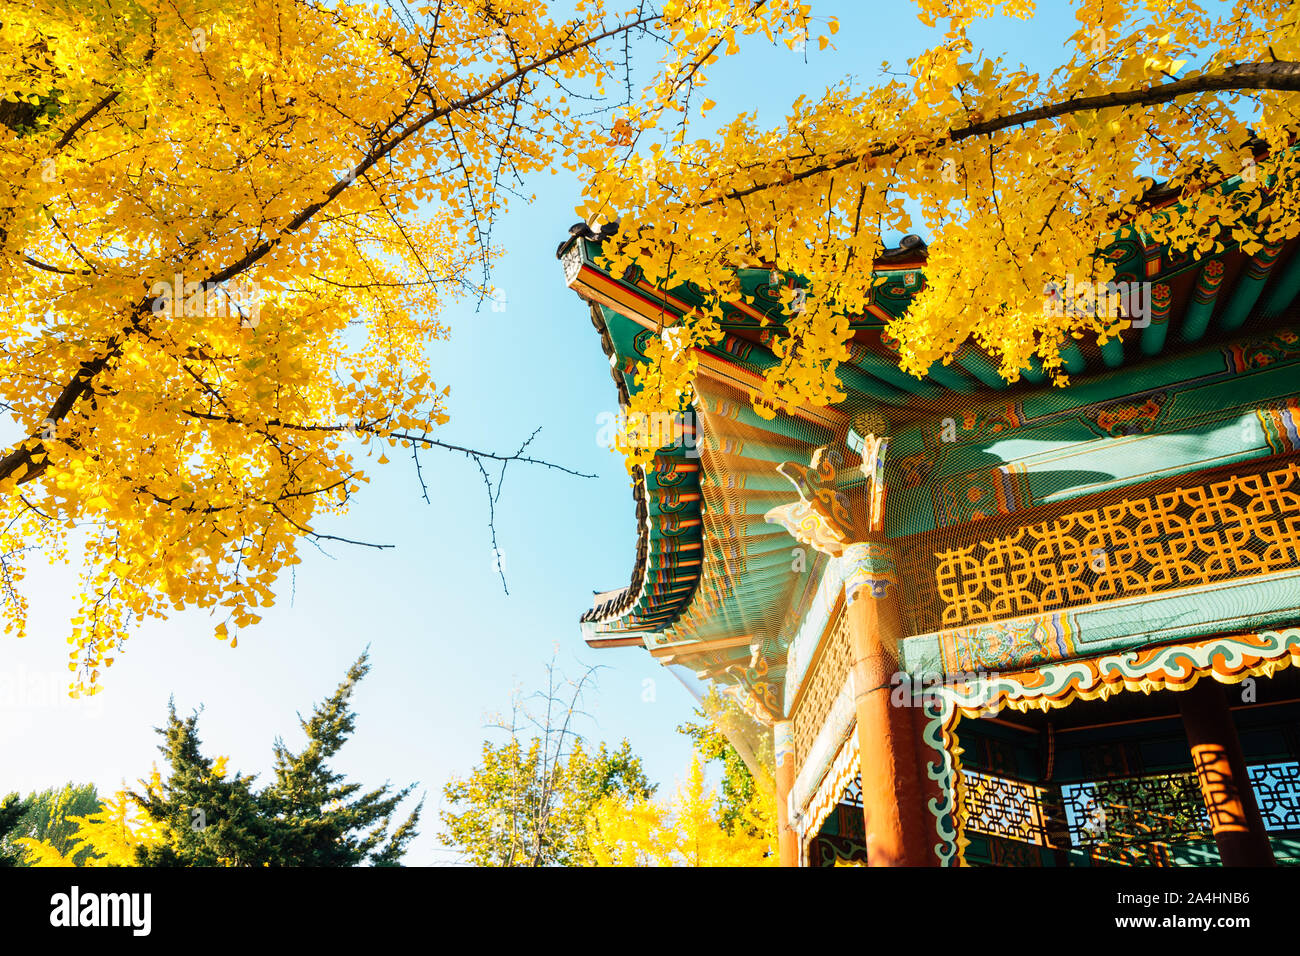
(1015, 179)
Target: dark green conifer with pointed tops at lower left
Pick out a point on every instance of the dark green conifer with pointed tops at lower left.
(309, 816)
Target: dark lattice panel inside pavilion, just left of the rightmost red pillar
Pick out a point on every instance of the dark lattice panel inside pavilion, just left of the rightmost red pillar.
(1137, 810)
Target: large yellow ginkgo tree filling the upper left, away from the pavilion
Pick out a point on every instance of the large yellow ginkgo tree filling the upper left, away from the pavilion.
(228, 230)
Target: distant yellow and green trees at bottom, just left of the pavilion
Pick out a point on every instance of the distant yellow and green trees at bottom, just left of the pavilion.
(543, 799)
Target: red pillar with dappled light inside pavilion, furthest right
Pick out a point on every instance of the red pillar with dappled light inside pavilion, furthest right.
(1221, 771)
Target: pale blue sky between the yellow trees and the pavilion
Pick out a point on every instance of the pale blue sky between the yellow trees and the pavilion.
(448, 647)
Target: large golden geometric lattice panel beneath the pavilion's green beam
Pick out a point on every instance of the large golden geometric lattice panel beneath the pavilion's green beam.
(1241, 527)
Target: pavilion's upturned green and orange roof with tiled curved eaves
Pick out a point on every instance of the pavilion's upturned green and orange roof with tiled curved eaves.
(712, 585)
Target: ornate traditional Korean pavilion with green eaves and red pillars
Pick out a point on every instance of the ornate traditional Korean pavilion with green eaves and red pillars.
(993, 624)
